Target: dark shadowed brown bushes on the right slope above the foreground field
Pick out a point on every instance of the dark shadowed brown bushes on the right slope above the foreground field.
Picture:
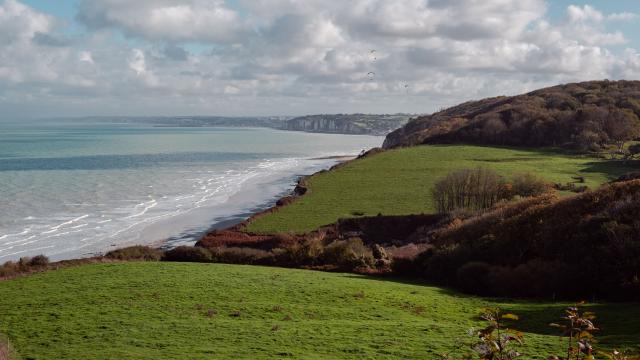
(545, 248)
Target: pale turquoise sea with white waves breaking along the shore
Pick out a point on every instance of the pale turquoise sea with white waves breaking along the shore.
(71, 189)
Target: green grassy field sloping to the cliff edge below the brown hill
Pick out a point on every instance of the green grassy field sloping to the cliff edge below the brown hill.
(399, 182)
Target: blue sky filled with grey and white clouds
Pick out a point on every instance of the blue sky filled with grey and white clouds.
(293, 57)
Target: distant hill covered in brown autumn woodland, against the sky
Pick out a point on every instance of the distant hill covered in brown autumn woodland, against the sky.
(585, 116)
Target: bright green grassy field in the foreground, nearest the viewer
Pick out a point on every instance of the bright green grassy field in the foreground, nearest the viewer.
(151, 311)
